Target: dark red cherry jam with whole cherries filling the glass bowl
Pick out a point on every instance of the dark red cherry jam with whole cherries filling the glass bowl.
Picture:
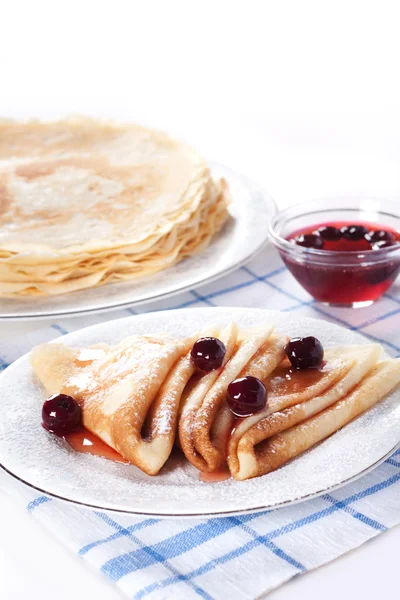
(345, 280)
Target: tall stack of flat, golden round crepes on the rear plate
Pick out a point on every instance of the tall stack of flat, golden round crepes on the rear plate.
(83, 203)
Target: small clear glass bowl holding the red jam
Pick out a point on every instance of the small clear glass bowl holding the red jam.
(339, 278)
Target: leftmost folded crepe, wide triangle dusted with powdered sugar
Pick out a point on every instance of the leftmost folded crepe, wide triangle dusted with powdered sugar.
(129, 393)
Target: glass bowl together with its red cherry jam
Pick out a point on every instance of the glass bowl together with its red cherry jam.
(343, 251)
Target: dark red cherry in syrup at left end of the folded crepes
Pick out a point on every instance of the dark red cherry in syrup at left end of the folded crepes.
(61, 414)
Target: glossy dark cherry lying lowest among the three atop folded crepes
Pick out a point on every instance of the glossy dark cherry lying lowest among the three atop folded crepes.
(246, 396)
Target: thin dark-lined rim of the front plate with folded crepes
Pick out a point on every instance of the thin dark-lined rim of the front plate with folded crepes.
(198, 515)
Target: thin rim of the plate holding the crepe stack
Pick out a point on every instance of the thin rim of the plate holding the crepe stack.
(272, 209)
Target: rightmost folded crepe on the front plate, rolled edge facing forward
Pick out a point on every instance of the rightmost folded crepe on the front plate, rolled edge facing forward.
(272, 441)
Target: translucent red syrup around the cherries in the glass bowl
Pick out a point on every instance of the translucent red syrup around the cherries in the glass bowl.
(345, 284)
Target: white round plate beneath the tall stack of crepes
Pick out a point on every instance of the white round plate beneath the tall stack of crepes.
(241, 238)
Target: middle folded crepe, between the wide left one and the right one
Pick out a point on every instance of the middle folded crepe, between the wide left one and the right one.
(206, 421)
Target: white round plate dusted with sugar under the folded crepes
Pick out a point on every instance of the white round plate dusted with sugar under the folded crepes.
(48, 464)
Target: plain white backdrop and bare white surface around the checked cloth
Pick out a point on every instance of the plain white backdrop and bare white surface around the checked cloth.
(303, 96)
